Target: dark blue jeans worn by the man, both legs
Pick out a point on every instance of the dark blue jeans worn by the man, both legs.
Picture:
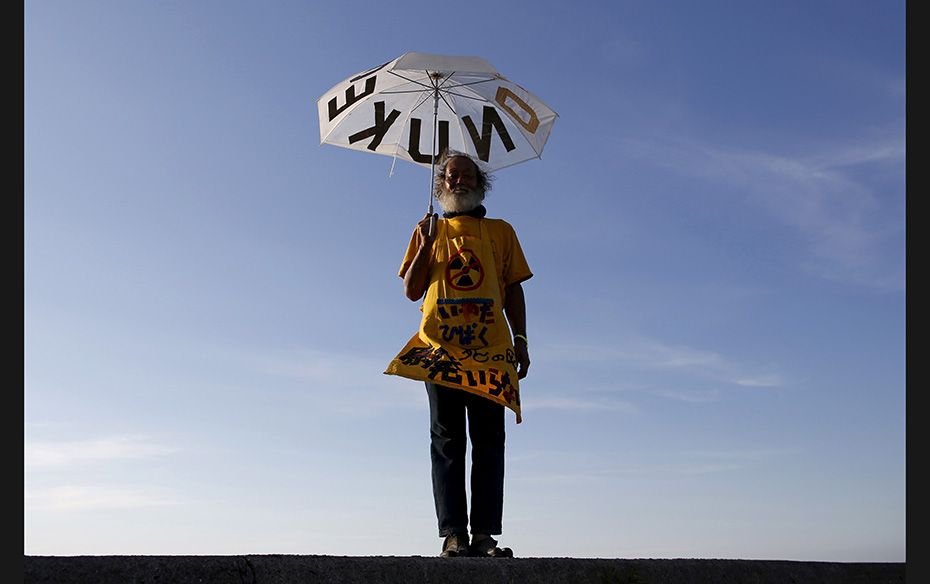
(448, 410)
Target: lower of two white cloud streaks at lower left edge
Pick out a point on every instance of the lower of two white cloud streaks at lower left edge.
(83, 498)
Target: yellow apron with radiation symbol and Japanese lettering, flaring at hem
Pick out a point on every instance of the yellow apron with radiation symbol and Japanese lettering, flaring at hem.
(464, 340)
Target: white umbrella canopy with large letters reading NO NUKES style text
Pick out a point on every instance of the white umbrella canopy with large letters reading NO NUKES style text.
(419, 105)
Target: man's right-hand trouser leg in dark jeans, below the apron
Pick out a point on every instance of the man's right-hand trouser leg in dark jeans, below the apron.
(486, 429)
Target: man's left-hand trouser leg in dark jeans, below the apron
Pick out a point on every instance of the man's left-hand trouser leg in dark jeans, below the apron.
(447, 452)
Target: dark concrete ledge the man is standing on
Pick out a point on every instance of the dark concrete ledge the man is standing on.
(284, 569)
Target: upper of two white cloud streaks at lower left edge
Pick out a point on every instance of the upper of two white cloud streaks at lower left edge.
(57, 454)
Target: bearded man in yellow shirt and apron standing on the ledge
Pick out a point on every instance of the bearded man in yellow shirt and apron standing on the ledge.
(470, 269)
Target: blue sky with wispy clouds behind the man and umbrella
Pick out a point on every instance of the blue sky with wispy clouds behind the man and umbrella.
(716, 321)
